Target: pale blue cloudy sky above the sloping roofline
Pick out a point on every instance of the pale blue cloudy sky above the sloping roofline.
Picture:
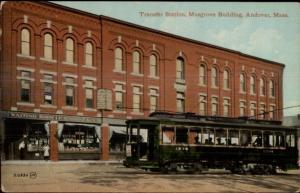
(271, 38)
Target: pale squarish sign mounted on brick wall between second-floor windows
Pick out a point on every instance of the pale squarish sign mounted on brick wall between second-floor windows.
(104, 99)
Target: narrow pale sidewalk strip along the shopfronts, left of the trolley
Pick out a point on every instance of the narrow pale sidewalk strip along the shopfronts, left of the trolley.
(34, 162)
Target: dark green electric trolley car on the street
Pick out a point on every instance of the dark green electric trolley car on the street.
(192, 143)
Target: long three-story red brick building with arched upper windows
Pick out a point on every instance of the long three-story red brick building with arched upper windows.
(70, 79)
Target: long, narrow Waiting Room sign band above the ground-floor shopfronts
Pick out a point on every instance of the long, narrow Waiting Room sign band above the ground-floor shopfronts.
(50, 117)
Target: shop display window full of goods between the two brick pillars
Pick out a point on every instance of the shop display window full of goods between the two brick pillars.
(83, 138)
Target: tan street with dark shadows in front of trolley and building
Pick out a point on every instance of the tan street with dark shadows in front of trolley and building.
(113, 177)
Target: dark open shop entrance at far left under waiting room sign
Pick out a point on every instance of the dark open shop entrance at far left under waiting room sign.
(25, 139)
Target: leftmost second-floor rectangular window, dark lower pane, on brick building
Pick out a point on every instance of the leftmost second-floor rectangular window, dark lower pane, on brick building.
(25, 86)
